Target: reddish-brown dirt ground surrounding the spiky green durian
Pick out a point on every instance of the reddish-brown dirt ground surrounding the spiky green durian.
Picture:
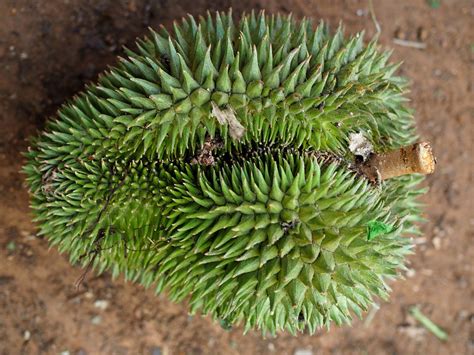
(50, 48)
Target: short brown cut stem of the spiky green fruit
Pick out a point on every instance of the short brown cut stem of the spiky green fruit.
(417, 158)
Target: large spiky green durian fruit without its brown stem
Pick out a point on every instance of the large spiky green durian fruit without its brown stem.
(215, 162)
